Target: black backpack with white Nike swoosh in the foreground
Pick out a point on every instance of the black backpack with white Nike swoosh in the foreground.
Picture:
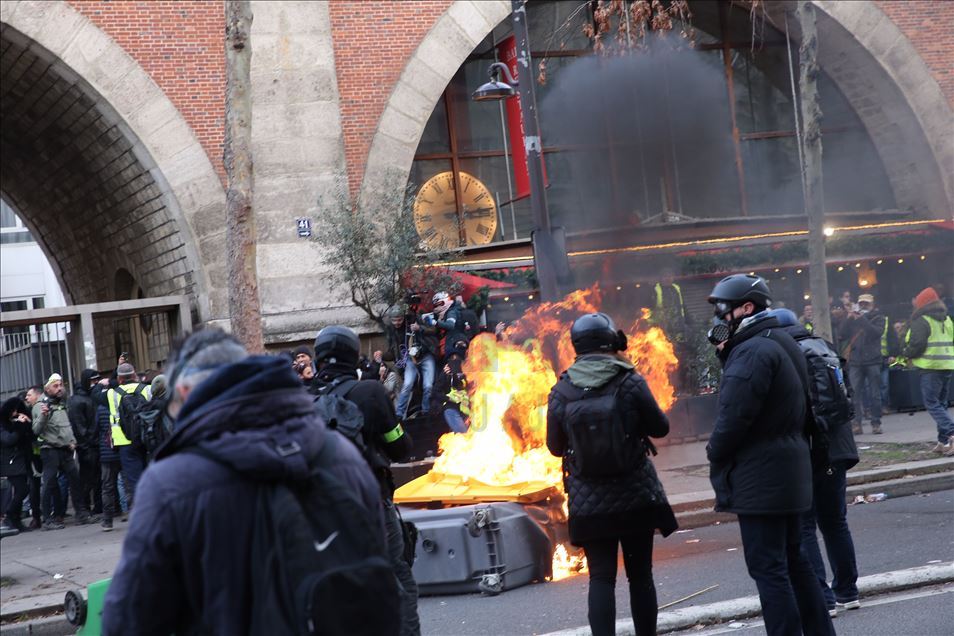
(318, 559)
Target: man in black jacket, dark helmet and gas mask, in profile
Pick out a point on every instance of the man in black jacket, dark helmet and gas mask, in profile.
(760, 466)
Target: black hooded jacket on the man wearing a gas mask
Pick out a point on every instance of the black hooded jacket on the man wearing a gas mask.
(758, 452)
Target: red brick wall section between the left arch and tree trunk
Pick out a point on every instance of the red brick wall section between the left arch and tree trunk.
(181, 46)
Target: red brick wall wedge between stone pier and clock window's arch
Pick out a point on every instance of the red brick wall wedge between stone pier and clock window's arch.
(371, 48)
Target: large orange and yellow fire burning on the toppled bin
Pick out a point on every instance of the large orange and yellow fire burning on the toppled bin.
(509, 382)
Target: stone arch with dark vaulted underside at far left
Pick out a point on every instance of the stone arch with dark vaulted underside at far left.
(102, 167)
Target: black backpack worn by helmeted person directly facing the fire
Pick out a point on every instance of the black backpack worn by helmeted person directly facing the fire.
(599, 444)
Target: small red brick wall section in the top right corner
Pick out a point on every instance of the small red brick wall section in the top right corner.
(929, 24)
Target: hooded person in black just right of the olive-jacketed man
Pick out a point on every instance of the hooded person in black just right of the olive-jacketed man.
(82, 412)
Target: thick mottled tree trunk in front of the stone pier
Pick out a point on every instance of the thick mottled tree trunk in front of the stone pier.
(244, 309)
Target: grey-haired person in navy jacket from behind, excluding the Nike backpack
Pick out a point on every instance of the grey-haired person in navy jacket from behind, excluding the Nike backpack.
(185, 565)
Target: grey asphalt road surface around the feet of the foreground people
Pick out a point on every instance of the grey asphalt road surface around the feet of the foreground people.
(890, 535)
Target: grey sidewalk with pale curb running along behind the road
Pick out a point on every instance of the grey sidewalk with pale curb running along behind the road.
(40, 567)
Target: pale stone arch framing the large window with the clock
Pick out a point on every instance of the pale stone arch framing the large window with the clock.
(884, 78)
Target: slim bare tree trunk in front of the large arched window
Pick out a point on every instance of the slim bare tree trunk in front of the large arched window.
(812, 167)
